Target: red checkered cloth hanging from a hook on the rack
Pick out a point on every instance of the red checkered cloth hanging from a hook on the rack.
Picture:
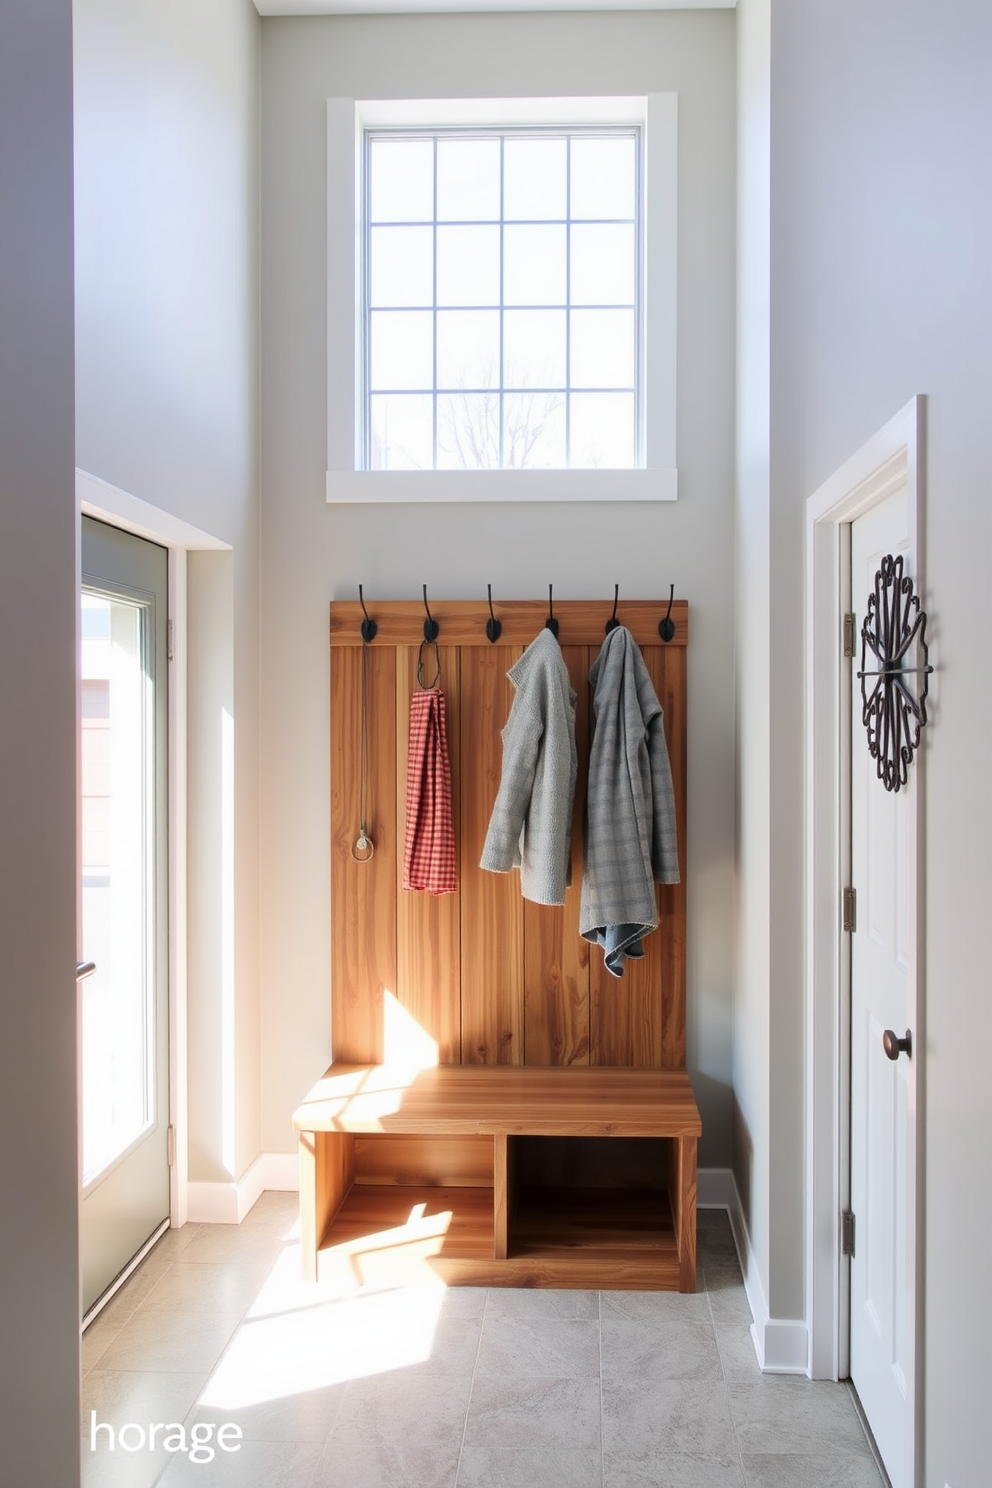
(429, 856)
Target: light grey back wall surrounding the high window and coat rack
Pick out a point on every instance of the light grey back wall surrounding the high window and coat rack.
(315, 553)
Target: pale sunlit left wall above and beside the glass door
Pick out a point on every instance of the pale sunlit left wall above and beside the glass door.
(167, 282)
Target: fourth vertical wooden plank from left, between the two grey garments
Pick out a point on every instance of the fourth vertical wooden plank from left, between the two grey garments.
(555, 956)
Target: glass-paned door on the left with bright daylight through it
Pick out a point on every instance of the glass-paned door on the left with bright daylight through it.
(124, 910)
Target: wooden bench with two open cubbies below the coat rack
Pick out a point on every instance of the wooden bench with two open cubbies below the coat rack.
(502, 1175)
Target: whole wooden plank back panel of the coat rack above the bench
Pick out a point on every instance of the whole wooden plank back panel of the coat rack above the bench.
(489, 977)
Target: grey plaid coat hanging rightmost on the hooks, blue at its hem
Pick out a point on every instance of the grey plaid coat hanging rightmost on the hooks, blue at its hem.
(630, 824)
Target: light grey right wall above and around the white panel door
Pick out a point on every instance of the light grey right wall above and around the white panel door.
(881, 289)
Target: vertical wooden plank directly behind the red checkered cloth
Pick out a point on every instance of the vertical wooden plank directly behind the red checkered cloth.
(429, 926)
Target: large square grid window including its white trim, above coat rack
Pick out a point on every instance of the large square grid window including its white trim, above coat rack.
(502, 300)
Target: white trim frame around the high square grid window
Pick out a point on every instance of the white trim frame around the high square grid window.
(658, 481)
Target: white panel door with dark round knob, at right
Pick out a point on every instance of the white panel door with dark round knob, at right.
(883, 1088)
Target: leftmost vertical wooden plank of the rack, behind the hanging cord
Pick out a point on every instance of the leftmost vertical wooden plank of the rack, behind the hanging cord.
(362, 895)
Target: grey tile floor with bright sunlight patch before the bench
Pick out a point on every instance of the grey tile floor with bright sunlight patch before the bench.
(425, 1388)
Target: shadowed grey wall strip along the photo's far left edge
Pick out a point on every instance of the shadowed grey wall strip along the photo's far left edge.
(39, 1261)
